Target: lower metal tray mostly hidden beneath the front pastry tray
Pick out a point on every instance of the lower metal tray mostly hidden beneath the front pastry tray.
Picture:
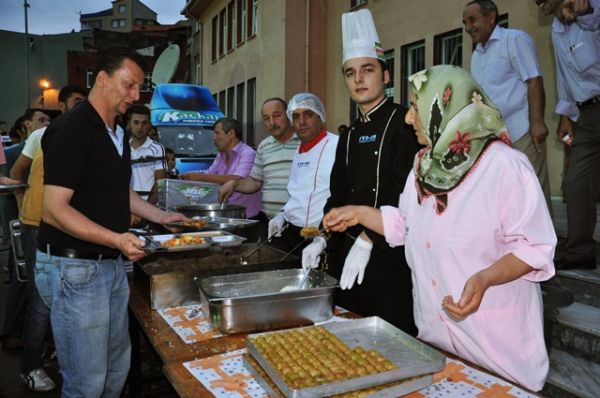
(392, 390)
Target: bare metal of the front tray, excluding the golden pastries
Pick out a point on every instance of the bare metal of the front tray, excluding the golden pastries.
(411, 357)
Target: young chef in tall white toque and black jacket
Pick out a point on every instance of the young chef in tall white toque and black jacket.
(372, 162)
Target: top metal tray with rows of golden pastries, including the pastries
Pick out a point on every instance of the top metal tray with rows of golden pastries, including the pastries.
(340, 357)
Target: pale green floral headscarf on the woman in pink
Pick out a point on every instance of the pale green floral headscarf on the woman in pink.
(460, 121)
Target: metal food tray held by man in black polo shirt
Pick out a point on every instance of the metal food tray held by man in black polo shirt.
(192, 241)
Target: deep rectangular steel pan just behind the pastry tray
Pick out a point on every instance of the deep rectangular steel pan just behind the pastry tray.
(254, 301)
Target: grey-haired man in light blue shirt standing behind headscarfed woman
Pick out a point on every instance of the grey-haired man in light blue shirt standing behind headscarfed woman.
(505, 65)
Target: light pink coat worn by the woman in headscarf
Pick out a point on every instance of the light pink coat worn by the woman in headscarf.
(498, 209)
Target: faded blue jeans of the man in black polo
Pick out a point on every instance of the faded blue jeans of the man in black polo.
(88, 311)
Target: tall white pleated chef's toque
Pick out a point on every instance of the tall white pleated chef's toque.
(359, 36)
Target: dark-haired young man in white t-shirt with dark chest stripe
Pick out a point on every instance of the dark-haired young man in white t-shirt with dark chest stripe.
(147, 156)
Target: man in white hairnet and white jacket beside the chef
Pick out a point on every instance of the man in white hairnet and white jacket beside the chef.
(308, 185)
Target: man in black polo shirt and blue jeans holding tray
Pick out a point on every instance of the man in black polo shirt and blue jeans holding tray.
(84, 236)
